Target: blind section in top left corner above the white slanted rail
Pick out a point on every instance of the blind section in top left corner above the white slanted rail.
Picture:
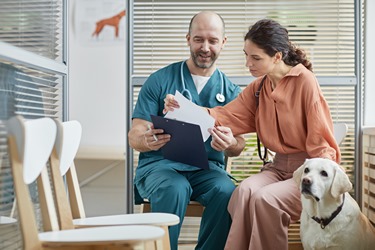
(33, 25)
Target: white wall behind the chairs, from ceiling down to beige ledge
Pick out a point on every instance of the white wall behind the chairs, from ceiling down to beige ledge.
(97, 78)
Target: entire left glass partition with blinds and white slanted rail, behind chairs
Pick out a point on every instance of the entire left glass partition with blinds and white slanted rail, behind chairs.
(33, 77)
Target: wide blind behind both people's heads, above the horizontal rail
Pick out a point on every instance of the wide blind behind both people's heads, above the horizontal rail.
(324, 28)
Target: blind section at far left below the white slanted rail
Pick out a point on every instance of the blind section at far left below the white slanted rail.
(29, 92)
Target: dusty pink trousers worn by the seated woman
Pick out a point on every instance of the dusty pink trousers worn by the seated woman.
(263, 206)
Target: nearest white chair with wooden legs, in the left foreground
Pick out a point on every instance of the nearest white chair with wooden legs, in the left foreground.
(30, 145)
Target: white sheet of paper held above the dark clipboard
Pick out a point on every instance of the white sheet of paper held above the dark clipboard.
(192, 113)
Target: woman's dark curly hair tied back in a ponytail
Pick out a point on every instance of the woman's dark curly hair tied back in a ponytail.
(270, 36)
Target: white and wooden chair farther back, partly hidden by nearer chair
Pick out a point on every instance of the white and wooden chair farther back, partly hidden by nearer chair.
(73, 215)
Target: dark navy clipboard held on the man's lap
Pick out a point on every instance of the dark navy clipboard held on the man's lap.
(186, 144)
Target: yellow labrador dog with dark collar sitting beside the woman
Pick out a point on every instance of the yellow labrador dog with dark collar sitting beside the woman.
(331, 218)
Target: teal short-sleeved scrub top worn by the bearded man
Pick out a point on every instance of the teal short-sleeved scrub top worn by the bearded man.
(151, 102)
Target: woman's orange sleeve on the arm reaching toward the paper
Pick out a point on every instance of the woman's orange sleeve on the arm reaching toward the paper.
(238, 114)
